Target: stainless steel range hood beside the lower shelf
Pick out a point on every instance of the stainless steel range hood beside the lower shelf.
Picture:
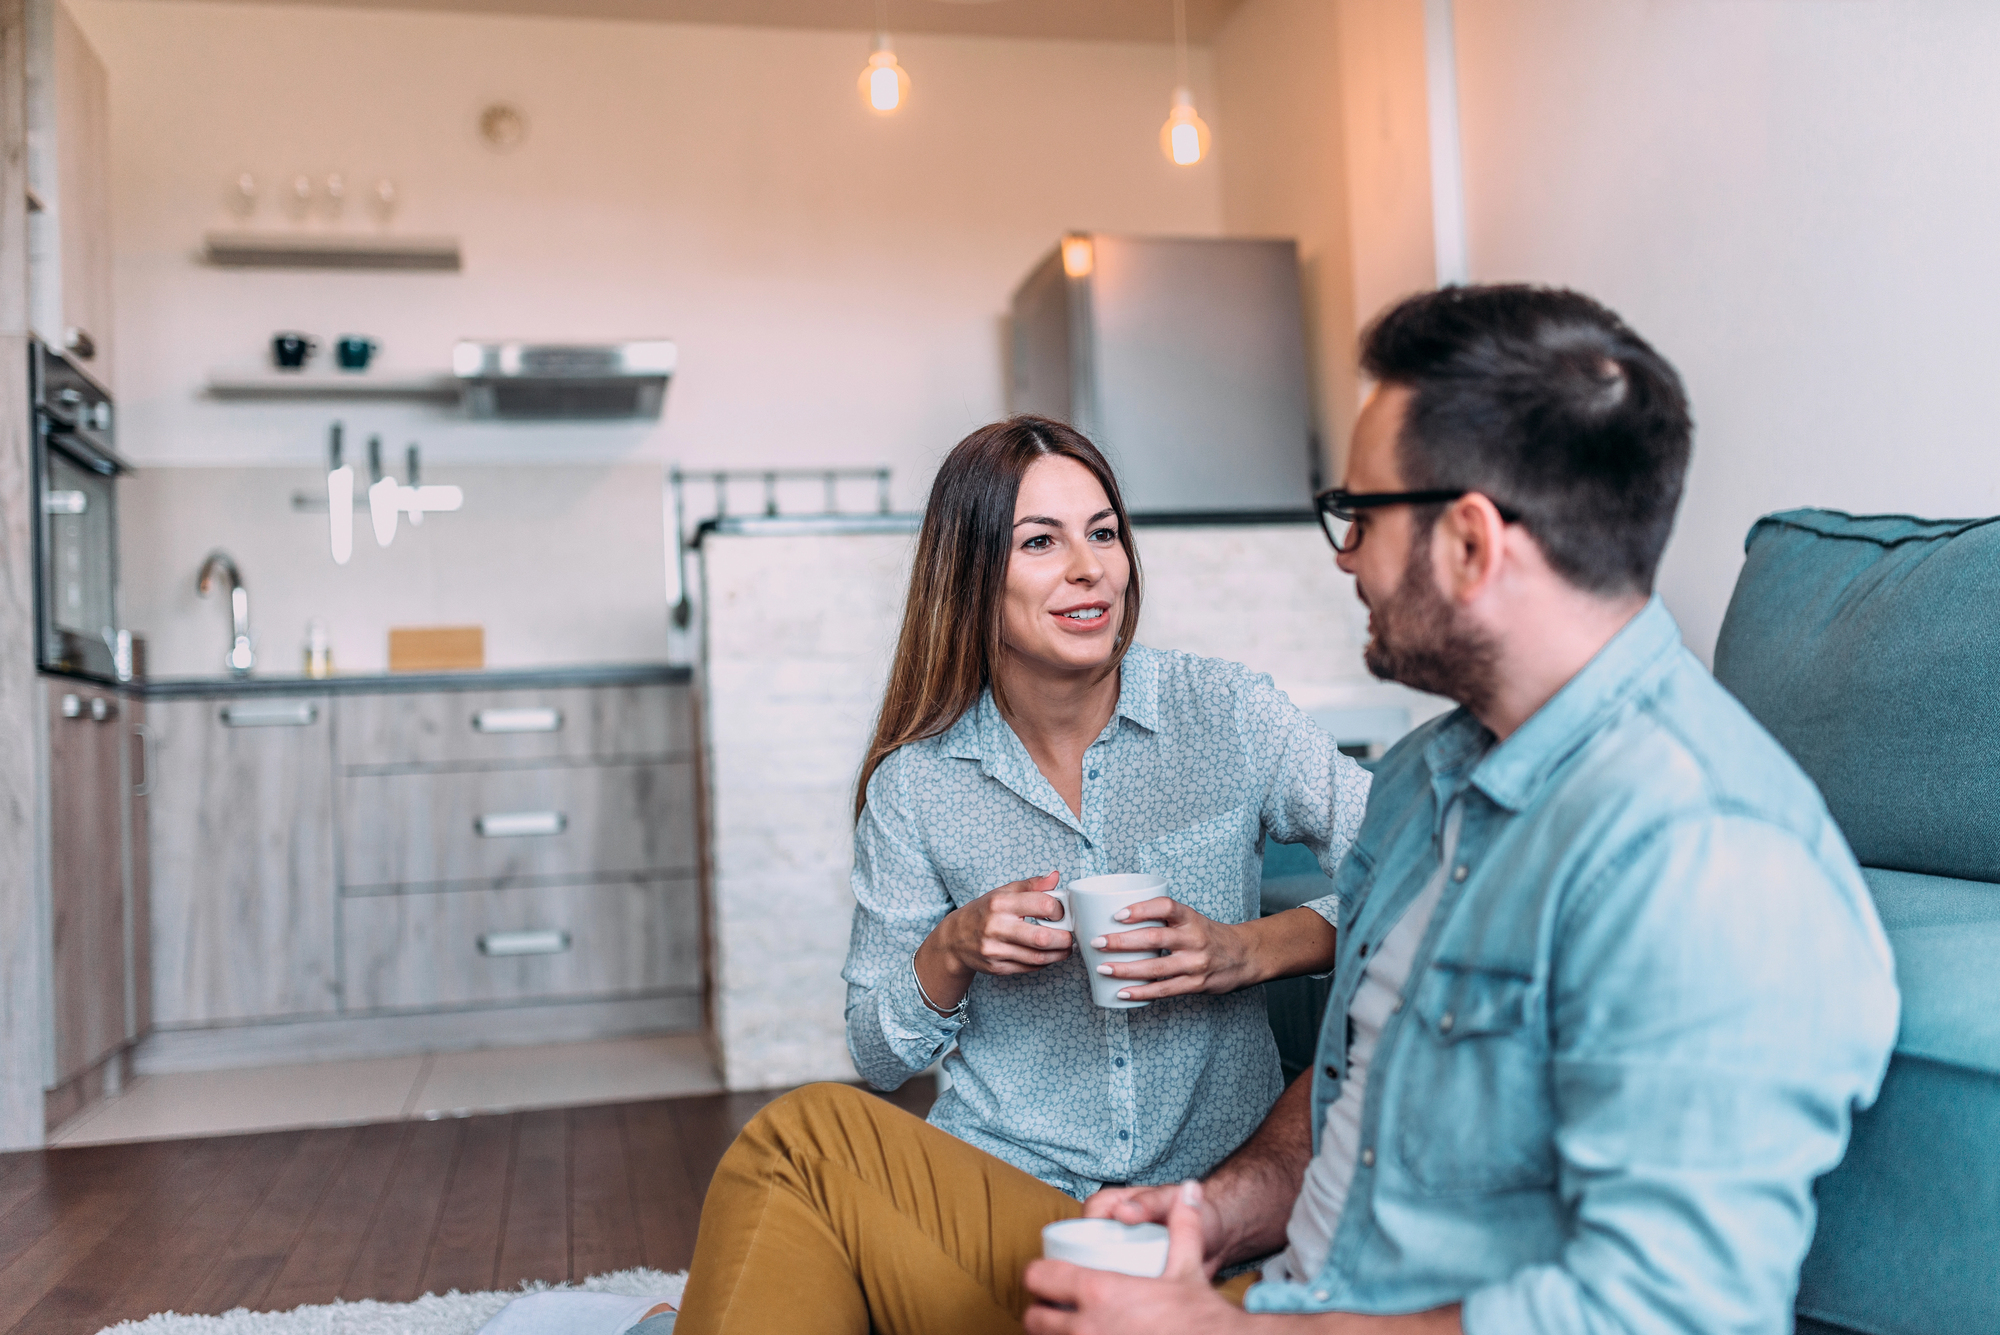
(565, 383)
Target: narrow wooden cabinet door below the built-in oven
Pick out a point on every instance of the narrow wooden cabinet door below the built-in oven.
(87, 876)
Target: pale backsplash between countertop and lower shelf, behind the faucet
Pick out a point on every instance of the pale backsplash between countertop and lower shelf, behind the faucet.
(559, 565)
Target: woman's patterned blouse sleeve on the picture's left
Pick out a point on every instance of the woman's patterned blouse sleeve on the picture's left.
(899, 900)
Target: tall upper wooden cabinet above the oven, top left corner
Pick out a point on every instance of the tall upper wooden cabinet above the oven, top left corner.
(69, 191)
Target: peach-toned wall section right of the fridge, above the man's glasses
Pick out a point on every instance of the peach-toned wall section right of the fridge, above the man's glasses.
(1329, 143)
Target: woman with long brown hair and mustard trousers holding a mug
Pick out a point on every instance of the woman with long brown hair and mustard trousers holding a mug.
(1025, 738)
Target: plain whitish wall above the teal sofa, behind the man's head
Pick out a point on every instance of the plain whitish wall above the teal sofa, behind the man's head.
(1795, 203)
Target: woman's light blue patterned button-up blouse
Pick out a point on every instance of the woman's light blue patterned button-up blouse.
(1199, 766)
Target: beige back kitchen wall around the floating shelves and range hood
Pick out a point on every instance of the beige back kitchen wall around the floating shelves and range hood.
(835, 279)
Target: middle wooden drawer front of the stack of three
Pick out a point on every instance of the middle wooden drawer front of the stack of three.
(513, 824)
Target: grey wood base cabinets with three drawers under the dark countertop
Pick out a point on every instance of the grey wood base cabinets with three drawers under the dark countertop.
(371, 860)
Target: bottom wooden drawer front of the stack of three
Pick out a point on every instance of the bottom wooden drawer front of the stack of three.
(427, 950)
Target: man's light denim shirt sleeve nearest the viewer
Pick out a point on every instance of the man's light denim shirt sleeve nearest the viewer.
(1695, 1100)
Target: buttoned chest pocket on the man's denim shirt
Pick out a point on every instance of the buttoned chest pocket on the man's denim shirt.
(1473, 1066)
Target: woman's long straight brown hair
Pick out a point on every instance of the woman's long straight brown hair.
(951, 625)
